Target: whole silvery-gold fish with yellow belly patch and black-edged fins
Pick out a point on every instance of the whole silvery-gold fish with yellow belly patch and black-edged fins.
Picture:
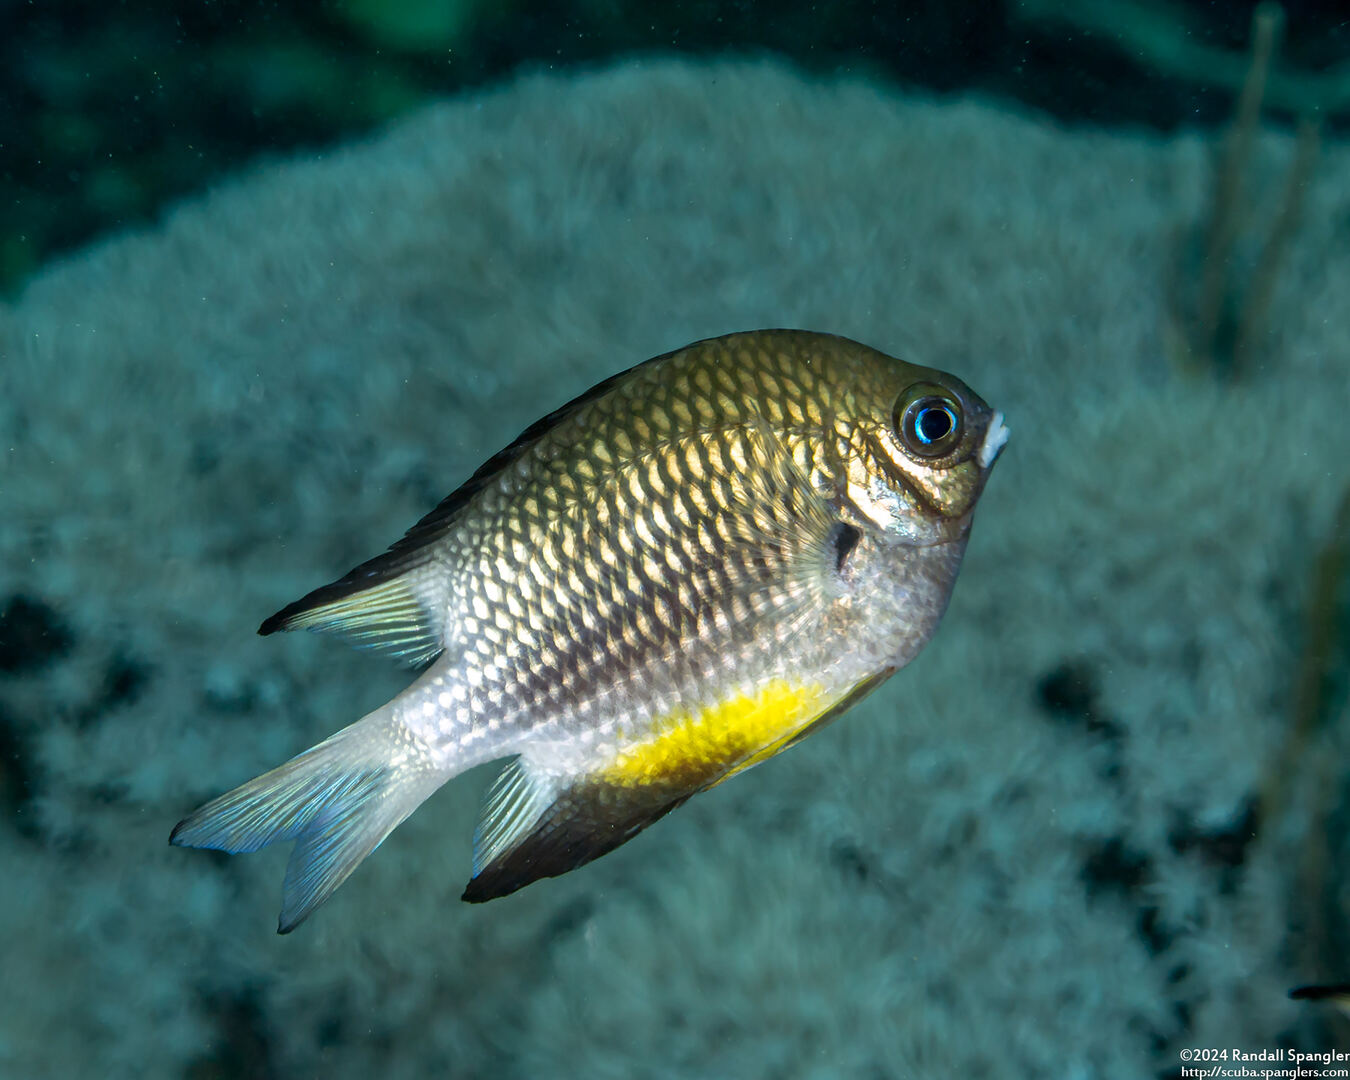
(661, 585)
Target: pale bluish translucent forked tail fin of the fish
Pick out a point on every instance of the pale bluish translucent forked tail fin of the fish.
(338, 801)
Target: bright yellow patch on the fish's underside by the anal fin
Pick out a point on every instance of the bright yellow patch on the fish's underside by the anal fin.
(692, 750)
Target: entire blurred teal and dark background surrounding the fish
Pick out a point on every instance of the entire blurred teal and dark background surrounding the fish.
(281, 280)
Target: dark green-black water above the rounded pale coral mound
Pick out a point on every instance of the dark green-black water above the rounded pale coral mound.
(113, 110)
